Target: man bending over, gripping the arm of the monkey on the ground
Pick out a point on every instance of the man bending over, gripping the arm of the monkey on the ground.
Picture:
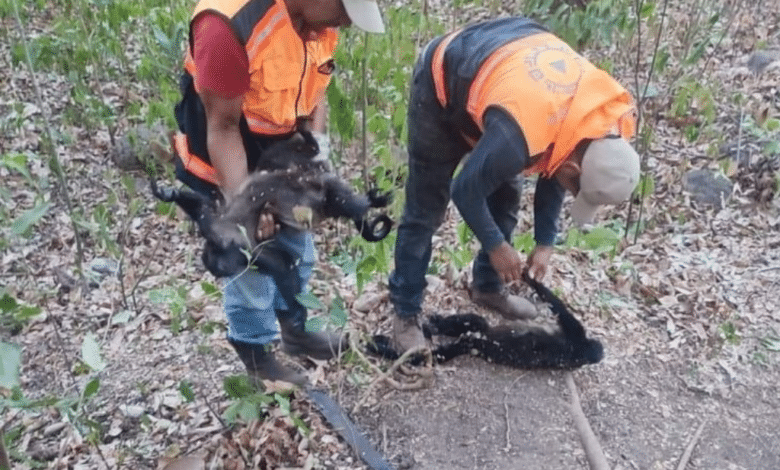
(521, 102)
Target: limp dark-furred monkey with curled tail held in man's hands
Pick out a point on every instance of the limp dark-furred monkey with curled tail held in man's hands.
(287, 180)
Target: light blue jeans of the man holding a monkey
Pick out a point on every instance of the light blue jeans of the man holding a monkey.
(252, 300)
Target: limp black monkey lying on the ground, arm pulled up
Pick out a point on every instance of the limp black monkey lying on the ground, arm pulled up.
(567, 348)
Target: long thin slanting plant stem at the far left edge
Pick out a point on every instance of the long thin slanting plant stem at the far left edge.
(54, 162)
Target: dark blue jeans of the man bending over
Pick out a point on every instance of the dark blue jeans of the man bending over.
(435, 150)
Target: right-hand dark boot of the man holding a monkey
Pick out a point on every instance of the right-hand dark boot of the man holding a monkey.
(296, 341)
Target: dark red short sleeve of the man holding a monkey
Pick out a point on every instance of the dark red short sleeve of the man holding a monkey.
(220, 59)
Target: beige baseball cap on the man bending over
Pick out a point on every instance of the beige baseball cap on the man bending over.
(610, 172)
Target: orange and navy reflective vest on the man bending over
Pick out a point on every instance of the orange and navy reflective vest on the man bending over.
(555, 95)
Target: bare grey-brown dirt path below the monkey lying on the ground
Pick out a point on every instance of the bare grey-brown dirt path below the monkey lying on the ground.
(644, 413)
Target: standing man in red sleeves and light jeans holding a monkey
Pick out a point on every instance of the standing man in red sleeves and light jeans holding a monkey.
(256, 72)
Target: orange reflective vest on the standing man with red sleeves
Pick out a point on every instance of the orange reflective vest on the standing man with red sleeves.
(288, 76)
